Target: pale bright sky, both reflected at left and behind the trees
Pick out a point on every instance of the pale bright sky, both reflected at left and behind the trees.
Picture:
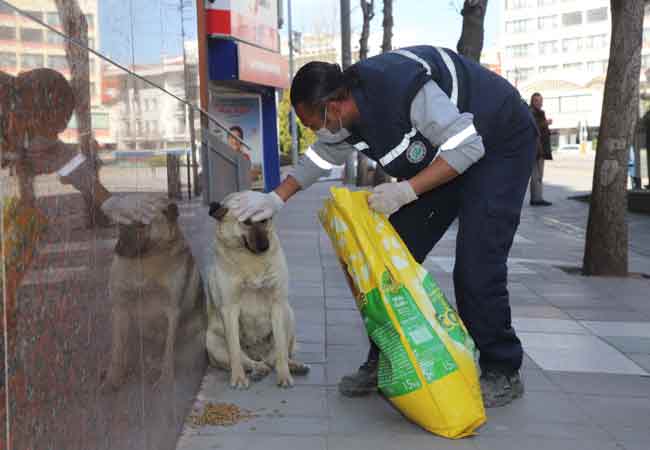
(157, 24)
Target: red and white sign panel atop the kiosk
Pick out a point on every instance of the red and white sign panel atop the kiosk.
(252, 21)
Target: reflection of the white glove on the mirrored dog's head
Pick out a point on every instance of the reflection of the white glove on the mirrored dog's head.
(134, 208)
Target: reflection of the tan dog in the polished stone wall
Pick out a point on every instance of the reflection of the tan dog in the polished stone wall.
(153, 273)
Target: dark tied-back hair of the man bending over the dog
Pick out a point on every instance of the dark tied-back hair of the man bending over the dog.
(318, 82)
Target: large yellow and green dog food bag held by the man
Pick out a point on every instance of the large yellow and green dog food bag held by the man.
(427, 366)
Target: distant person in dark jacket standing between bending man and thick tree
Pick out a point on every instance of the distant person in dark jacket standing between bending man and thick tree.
(543, 151)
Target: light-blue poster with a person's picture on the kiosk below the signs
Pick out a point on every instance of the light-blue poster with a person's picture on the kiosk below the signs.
(241, 114)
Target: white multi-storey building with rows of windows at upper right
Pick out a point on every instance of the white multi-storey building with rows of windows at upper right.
(560, 48)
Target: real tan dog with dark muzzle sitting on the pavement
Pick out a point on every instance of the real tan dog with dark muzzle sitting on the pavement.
(250, 321)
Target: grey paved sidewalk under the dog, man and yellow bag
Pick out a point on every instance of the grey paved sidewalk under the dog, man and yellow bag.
(587, 343)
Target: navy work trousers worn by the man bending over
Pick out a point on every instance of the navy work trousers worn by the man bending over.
(487, 201)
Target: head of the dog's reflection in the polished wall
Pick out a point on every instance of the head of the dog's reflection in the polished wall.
(137, 240)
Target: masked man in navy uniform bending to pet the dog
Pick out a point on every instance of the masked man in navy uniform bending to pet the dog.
(461, 142)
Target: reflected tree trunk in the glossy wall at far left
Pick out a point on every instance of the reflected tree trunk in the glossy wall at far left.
(75, 27)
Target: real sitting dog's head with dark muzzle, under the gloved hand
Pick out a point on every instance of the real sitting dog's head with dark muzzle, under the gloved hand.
(231, 233)
